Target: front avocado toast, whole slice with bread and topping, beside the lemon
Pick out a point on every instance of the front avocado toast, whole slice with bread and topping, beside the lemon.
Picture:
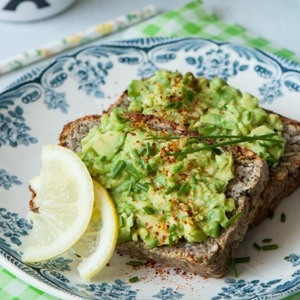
(190, 212)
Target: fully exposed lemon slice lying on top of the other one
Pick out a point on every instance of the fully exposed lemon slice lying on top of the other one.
(62, 207)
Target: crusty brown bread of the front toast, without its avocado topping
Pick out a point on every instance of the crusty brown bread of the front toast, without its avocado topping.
(209, 258)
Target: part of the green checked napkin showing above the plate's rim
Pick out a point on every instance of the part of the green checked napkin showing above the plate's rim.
(193, 20)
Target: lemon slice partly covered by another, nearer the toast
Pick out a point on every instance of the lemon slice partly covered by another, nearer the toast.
(97, 244)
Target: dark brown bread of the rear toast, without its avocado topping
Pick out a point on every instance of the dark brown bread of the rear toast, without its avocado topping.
(284, 178)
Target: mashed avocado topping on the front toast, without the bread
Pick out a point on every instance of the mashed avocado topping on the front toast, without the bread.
(160, 199)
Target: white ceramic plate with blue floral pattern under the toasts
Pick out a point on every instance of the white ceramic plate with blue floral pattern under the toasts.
(33, 111)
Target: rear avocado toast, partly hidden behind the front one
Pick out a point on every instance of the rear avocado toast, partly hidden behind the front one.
(213, 107)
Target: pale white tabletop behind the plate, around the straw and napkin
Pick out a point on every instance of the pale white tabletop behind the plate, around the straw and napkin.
(275, 20)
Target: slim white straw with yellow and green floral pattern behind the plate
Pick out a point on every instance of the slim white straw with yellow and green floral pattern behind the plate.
(78, 39)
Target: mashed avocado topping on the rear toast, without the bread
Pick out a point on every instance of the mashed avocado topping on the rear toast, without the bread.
(208, 107)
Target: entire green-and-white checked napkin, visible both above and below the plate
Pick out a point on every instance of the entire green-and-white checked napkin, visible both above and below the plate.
(190, 20)
